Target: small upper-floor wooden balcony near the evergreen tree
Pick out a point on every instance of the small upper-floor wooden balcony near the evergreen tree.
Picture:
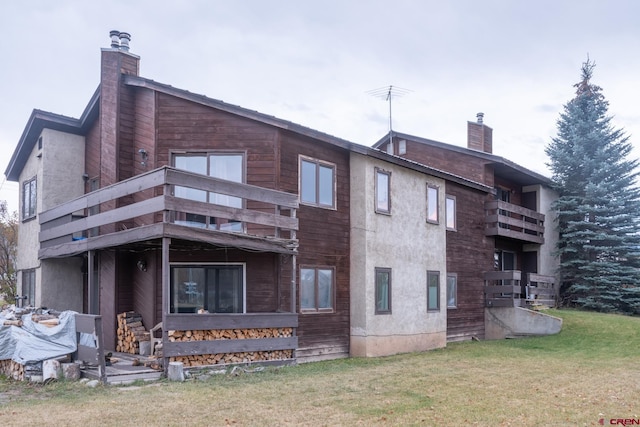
(514, 222)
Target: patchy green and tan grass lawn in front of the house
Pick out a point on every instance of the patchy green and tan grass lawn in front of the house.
(587, 372)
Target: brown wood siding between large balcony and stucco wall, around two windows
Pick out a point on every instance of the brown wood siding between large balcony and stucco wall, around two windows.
(323, 238)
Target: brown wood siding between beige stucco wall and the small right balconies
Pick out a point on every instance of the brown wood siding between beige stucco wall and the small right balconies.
(469, 255)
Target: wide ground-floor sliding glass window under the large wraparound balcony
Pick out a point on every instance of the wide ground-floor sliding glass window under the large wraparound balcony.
(214, 288)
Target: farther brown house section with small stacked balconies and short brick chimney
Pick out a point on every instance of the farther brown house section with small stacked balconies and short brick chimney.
(503, 243)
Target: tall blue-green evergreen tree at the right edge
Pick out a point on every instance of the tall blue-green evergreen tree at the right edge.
(599, 204)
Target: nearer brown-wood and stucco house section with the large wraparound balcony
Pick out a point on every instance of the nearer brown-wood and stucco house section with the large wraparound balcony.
(205, 216)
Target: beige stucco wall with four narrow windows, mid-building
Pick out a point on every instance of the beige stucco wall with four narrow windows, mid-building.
(409, 246)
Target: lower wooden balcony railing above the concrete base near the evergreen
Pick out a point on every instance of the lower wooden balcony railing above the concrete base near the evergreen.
(507, 289)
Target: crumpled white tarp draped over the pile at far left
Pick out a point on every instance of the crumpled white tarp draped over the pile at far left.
(34, 342)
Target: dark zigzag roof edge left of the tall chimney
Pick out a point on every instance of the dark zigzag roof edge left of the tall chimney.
(40, 120)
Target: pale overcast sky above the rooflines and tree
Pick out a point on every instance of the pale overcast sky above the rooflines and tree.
(316, 62)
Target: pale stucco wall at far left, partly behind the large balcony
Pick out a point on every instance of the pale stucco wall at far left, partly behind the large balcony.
(58, 168)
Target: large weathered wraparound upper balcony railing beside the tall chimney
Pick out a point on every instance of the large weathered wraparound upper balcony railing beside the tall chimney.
(144, 209)
